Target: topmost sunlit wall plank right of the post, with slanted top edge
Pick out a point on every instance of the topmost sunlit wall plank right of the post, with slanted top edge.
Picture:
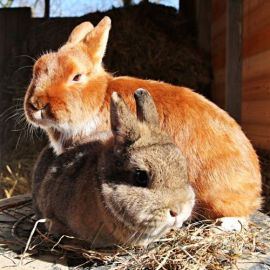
(256, 66)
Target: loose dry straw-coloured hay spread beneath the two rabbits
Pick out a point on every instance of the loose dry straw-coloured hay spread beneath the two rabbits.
(196, 246)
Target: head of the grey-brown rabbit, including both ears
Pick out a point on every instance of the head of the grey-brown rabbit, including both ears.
(144, 180)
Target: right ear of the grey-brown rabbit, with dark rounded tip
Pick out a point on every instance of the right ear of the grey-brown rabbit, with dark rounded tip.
(146, 108)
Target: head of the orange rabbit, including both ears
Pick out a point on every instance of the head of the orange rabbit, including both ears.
(60, 96)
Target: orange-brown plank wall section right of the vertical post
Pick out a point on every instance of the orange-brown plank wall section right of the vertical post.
(256, 72)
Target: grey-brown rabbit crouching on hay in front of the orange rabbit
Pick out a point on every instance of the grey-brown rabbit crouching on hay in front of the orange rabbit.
(130, 188)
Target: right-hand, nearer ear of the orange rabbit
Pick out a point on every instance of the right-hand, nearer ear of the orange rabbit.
(97, 39)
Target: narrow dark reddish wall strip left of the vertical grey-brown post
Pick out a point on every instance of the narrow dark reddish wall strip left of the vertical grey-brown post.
(218, 50)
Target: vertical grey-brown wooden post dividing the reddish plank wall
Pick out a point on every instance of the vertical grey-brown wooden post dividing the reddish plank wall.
(234, 59)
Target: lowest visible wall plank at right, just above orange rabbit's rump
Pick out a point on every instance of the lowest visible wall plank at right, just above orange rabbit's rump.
(258, 134)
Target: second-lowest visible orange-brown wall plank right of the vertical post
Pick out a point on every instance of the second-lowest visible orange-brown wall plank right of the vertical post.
(256, 112)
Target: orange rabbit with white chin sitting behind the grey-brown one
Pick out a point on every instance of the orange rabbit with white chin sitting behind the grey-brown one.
(69, 97)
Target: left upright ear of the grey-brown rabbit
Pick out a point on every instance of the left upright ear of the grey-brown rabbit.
(123, 123)
